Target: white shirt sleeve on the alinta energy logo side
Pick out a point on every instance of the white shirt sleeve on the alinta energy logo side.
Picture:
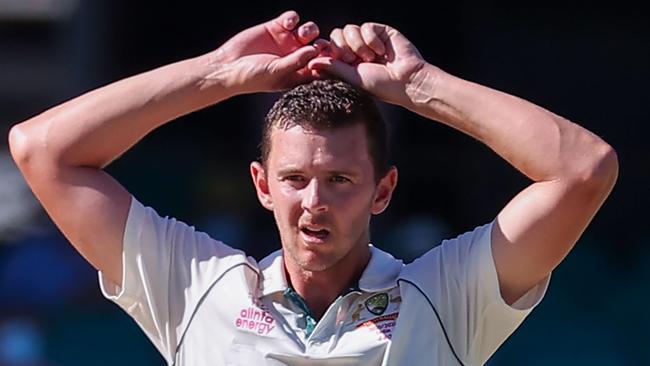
(167, 267)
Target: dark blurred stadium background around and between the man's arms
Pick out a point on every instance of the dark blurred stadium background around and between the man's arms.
(587, 62)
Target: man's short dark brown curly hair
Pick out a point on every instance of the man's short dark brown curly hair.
(329, 104)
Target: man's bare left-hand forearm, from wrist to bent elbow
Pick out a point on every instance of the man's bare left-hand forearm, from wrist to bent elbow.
(97, 127)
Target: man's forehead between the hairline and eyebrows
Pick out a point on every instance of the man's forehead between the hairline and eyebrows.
(296, 147)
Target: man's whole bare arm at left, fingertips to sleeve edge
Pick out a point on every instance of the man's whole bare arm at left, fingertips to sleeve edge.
(62, 151)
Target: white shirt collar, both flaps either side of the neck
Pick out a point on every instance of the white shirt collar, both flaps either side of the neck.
(380, 274)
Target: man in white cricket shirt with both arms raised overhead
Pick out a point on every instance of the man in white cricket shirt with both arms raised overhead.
(328, 298)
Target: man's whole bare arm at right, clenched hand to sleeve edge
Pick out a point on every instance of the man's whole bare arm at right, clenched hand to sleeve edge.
(573, 170)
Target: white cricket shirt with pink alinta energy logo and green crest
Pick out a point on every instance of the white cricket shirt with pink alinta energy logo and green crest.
(203, 303)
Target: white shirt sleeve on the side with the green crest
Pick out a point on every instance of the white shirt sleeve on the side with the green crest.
(459, 277)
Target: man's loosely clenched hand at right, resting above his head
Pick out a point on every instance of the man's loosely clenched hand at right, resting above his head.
(373, 56)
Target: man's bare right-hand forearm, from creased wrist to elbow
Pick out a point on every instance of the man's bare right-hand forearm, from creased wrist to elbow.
(540, 144)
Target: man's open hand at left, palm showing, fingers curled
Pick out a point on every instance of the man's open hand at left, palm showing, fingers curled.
(270, 56)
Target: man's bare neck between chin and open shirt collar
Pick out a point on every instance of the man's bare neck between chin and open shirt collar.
(320, 289)
